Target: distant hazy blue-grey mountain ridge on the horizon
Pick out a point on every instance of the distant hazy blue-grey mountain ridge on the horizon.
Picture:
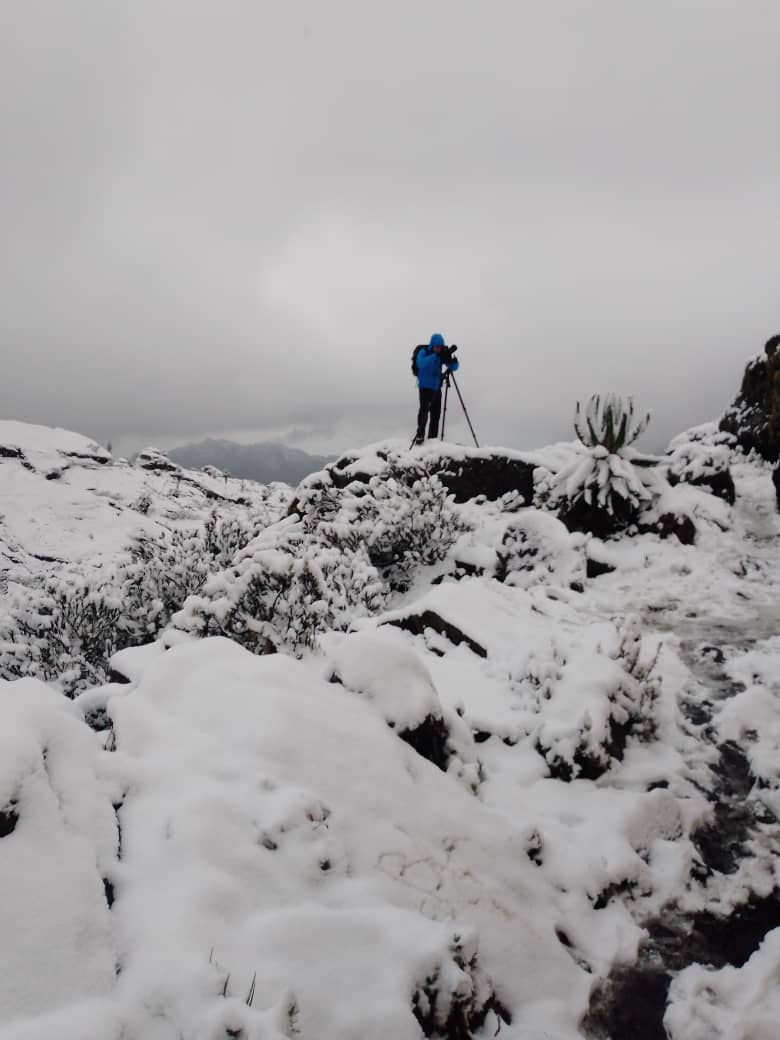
(264, 462)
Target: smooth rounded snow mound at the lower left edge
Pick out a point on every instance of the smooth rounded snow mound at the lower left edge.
(58, 947)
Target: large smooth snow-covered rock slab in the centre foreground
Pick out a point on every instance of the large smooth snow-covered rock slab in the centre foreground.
(291, 822)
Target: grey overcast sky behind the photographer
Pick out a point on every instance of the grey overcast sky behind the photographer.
(240, 217)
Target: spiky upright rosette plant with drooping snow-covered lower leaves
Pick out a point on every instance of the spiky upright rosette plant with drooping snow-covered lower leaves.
(602, 489)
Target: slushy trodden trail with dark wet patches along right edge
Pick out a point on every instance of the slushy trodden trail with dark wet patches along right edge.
(743, 840)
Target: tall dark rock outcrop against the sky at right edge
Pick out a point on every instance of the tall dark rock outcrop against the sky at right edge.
(755, 417)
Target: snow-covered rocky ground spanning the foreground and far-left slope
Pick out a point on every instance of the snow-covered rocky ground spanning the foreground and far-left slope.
(464, 817)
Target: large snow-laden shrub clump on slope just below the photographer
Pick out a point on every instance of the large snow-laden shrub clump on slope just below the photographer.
(340, 555)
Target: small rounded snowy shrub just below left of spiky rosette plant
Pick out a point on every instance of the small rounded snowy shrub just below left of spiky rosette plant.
(537, 549)
